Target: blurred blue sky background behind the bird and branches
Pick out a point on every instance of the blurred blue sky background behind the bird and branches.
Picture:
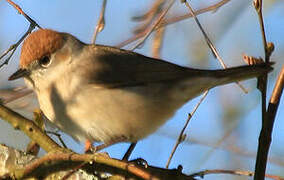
(223, 134)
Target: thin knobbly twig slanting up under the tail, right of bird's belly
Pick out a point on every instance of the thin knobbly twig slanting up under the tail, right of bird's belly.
(182, 135)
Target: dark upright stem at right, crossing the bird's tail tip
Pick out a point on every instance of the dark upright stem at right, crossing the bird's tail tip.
(265, 134)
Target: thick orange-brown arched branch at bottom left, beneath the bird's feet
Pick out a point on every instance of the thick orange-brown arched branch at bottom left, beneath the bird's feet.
(114, 166)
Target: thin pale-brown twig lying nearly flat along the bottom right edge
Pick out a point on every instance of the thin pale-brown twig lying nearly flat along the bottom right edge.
(232, 172)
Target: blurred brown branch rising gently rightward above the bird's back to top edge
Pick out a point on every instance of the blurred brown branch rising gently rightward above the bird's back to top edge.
(169, 21)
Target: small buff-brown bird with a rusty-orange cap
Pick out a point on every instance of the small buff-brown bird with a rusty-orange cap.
(98, 93)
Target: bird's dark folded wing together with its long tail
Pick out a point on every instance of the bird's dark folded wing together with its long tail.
(113, 67)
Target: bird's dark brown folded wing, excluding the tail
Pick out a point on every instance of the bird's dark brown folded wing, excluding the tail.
(115, 68)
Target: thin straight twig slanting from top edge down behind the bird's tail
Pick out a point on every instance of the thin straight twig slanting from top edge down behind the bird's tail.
(210, 44)
